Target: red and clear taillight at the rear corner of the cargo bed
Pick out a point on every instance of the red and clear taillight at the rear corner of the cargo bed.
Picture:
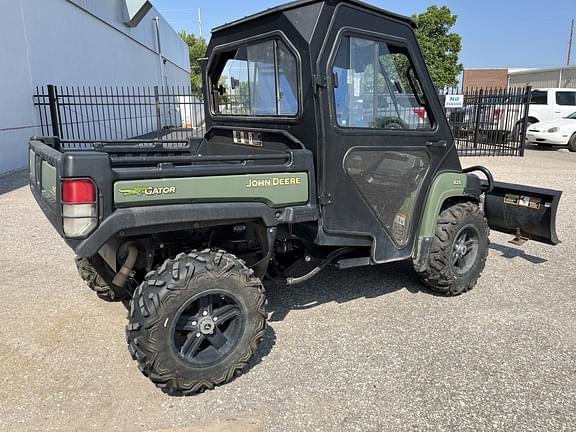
(79, 209)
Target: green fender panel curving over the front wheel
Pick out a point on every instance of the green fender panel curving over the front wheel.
(445, 185)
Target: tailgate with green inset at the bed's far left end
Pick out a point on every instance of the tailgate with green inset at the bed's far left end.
(44, 163)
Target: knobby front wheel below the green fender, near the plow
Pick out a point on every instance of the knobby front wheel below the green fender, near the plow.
(458, 251)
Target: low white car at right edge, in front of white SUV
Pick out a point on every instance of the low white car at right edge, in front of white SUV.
(554, 133)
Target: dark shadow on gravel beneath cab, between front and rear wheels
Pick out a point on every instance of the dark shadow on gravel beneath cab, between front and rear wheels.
(341, 286)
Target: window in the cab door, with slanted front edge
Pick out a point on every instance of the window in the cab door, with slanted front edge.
(376, 87)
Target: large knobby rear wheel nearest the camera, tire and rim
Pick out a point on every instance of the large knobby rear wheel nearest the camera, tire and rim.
(196, 321)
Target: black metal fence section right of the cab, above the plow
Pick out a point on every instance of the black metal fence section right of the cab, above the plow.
(491, 122)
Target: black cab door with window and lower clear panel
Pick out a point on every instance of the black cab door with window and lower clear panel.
(383, 140)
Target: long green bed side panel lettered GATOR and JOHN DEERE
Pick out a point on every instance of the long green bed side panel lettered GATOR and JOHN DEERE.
(274, 189)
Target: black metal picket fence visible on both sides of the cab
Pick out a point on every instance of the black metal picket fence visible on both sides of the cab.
(490, 122)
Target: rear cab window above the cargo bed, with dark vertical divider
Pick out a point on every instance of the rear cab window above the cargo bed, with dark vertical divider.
(260, 79)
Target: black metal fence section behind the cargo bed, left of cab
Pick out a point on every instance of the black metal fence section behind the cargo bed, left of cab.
(115, 113)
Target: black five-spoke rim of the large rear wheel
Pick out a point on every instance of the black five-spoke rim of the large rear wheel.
(208, 328)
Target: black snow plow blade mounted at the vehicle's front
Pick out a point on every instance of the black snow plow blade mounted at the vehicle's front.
(527, 212)
